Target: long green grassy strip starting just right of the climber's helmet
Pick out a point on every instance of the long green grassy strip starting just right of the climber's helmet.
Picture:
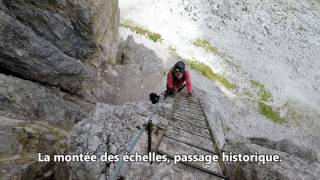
(207, 71)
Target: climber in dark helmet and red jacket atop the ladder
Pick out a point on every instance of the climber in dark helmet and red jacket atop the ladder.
(177, 78)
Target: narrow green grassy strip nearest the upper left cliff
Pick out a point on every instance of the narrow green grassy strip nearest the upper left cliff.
(151, 35)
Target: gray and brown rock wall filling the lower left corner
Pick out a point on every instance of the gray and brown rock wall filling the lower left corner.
(35, 119)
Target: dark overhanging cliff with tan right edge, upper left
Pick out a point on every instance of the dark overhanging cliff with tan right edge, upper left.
(58, 43)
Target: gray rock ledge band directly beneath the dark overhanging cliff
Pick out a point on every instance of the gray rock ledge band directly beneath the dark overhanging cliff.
(26, 100)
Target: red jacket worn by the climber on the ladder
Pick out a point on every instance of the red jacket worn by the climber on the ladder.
(177, 84)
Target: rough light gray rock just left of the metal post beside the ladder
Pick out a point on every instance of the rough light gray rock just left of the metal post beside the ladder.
(111, 129)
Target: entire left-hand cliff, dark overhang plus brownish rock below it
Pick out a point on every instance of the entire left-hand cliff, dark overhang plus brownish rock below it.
(52, 53)
